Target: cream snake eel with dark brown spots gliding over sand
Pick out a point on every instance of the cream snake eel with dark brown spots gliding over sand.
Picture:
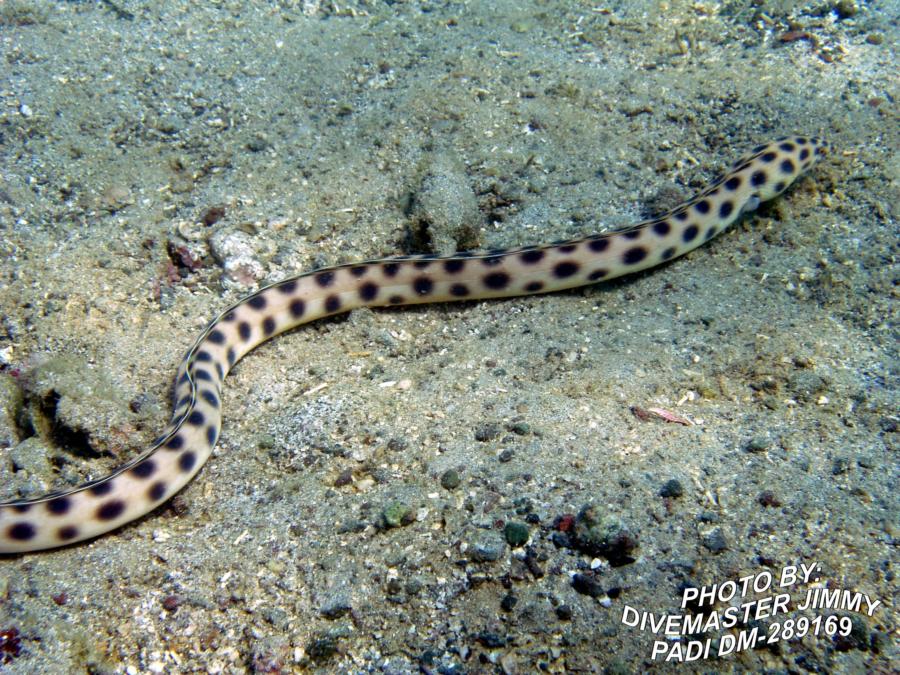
(144, 483)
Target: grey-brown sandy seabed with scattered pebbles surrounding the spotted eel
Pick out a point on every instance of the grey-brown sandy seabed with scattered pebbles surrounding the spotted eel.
(412, 490)
